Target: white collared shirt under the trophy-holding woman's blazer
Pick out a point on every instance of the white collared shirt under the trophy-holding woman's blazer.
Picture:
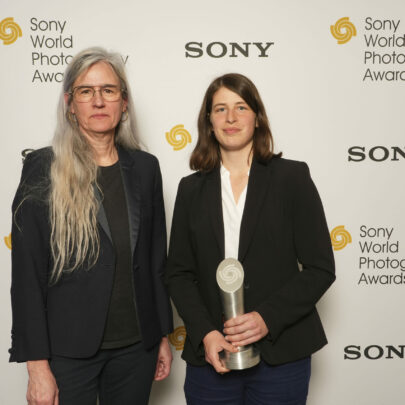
(232, 214)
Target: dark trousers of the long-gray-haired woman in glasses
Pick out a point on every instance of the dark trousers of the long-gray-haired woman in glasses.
(114, 376)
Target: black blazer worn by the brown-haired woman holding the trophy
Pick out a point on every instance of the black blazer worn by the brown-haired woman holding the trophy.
(283, 223)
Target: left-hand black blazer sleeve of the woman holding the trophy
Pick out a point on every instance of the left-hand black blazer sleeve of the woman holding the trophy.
(181, 269)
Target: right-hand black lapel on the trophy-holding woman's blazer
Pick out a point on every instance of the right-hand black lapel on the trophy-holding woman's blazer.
(258, 185)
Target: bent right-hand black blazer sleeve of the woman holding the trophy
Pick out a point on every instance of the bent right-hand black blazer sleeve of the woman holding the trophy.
(297, 298)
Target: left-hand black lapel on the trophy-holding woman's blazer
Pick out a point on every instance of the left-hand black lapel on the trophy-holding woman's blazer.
(214, 197)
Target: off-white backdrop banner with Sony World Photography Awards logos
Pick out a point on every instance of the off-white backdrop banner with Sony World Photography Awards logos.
(332, 76)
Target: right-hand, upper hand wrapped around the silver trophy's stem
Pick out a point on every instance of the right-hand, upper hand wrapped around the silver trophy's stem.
(245, 329)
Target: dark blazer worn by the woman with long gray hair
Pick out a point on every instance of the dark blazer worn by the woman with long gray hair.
(68, 318)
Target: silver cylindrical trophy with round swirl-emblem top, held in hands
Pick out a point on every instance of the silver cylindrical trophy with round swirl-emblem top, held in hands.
(230, 277)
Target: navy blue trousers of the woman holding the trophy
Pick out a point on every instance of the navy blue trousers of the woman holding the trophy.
(263, 384)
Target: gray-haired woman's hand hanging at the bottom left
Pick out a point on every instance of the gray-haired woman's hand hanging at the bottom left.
(42, 388)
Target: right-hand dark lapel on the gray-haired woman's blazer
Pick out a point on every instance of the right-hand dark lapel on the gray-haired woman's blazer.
(132, 187)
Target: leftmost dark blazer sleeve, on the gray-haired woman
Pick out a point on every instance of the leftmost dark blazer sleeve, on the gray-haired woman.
(30, 263)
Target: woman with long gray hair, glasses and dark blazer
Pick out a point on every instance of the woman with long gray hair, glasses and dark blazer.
(90, 311)
